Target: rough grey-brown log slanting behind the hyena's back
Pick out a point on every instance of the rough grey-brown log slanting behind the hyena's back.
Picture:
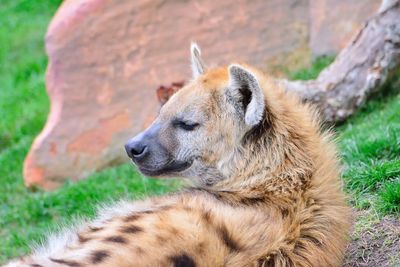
(360, 69)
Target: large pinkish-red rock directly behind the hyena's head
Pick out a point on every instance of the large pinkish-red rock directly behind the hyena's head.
(107, 57)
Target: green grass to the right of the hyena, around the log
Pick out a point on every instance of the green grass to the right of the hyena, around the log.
(370, 146)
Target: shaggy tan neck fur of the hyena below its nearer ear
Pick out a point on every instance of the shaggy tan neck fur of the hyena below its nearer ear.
(281, 176)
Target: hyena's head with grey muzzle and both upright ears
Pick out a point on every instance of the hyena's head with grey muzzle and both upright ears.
(202, 128)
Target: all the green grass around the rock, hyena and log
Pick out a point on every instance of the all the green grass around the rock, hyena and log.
(369, 142)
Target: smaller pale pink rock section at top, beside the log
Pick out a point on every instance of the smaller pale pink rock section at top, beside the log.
(333, 23)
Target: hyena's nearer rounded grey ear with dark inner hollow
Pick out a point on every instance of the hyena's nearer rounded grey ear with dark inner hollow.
(245, 89)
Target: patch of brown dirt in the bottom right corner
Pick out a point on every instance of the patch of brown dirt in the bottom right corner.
(375, 242)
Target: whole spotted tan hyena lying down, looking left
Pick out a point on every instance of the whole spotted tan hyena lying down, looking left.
(266, 188)
